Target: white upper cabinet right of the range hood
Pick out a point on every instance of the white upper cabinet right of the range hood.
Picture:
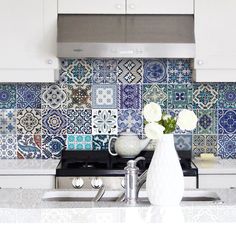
(215, 35)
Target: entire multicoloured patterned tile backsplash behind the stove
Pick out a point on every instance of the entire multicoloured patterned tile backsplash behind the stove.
(100, 98)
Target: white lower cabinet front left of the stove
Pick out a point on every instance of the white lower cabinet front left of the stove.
(27, 181)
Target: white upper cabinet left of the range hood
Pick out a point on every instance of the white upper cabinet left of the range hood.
(28, 42)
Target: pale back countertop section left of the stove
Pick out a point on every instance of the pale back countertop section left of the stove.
(28, 167)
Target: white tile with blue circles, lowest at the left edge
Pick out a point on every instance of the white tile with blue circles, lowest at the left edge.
(7, 146)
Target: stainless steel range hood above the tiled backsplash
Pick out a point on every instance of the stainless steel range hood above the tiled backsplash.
(110, 36)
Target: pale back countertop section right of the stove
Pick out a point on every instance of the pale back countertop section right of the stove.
(217, 166)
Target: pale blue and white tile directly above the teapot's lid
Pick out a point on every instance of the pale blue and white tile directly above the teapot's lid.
(130, 119)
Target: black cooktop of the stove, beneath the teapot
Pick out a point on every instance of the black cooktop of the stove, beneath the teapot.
(101, 163)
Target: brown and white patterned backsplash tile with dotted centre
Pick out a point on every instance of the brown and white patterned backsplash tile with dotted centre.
(79, 96)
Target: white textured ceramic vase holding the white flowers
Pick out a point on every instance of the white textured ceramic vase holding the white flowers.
(165, 181)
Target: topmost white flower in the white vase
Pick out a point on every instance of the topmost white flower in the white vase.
(152, 112)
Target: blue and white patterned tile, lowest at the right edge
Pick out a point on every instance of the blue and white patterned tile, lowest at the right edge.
(227, 146)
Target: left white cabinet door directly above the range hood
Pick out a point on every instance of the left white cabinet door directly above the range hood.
(91, 7)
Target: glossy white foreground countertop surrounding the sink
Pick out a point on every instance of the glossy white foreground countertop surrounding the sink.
(27, 206)
